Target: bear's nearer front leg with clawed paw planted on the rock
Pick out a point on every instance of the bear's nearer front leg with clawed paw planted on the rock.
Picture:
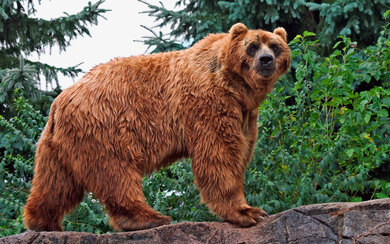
(219, 161)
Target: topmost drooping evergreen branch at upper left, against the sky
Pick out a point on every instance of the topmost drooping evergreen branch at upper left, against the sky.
(22, 33)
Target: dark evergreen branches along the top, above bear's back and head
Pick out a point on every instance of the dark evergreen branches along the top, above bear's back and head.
(195, 19)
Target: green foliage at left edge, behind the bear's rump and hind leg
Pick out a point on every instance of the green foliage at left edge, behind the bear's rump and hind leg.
(18, 136)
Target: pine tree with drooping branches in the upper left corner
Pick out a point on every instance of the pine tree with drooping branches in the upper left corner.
(22, 34)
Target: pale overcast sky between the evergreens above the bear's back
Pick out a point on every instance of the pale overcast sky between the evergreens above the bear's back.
(113, 37)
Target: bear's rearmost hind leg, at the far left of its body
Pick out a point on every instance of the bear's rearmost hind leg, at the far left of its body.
(54, 192)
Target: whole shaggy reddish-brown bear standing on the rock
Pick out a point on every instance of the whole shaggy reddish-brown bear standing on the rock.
(131, 116)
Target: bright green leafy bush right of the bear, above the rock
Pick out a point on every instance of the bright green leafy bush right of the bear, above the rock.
(322, 140)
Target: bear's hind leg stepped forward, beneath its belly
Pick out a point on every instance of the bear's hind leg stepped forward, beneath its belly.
(123, 197)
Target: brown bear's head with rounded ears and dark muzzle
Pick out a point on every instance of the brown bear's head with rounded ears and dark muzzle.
(258, 56)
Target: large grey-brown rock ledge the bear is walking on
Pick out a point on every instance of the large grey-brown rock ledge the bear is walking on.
(365, 222)
